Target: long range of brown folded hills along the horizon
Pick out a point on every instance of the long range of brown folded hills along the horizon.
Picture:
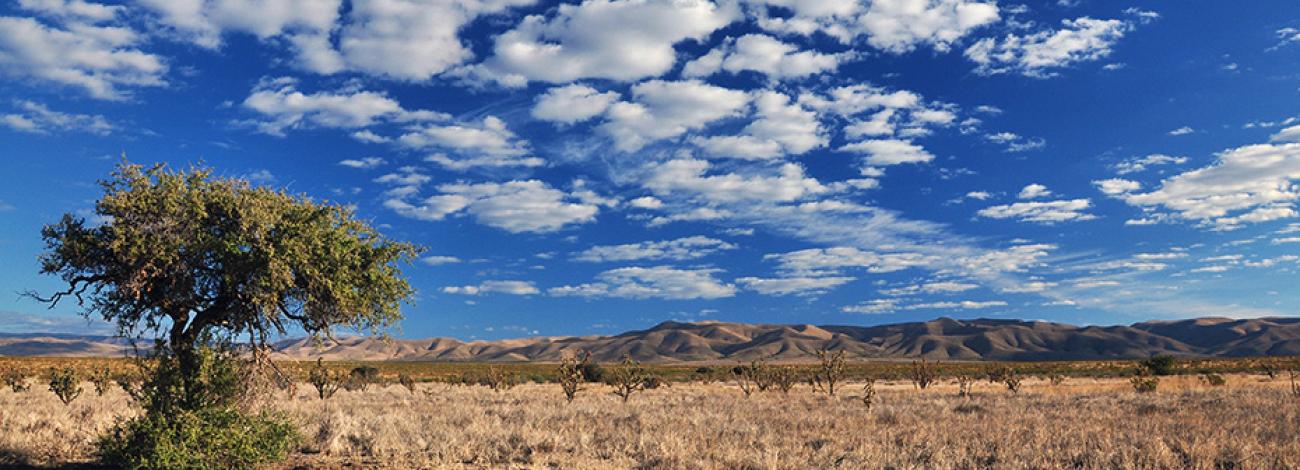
(703, 342)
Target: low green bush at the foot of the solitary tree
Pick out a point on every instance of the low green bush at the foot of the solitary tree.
(214, 438)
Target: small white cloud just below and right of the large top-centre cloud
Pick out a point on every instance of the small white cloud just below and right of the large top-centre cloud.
(765, 55)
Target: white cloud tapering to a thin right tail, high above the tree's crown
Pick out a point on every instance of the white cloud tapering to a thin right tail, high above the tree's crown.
(285, 108)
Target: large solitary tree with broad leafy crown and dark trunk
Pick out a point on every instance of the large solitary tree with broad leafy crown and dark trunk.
(188, 255)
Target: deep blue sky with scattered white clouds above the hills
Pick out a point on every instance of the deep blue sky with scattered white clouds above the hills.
(591, 168)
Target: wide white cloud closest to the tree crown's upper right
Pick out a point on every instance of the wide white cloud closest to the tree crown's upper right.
(515, 207)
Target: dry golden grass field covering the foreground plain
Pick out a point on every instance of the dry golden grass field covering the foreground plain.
(1251, 423)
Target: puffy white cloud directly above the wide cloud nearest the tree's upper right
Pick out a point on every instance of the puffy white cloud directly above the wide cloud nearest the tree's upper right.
(486, 143)
